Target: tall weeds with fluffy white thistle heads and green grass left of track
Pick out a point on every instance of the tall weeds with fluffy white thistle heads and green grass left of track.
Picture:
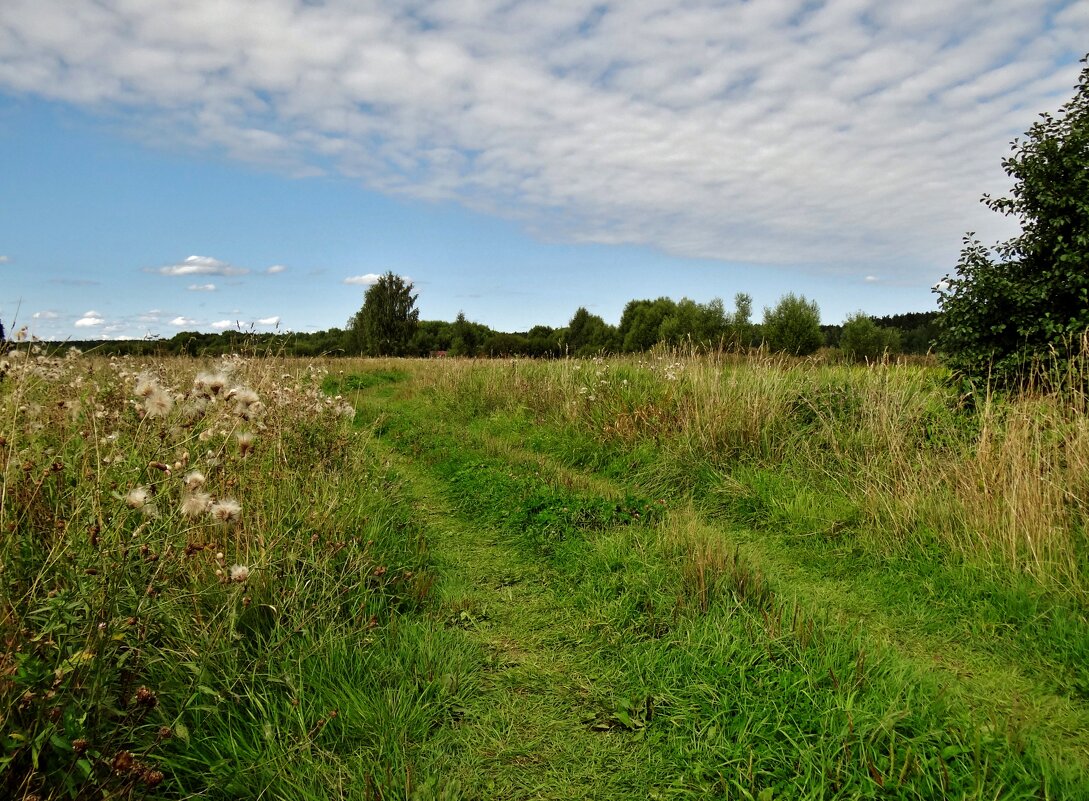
(210, 587)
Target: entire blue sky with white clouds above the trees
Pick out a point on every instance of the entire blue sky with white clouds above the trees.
(175, 166)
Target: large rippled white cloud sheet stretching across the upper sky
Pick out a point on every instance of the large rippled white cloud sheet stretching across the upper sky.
(829, 134)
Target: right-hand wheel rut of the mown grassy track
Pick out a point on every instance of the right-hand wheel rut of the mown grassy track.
(938, 621)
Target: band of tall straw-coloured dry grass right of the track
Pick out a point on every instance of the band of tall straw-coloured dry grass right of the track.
(1002, 482)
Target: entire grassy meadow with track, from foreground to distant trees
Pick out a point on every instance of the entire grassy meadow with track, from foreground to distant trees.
(669, 576)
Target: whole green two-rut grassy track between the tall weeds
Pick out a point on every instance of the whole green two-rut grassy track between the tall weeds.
(628, 657)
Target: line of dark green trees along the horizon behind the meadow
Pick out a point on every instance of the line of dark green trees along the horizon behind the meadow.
(388, 325)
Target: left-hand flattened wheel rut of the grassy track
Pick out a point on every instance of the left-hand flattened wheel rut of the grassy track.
(524, 734)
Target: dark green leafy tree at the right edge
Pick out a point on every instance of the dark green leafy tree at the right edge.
(1029, 299)
